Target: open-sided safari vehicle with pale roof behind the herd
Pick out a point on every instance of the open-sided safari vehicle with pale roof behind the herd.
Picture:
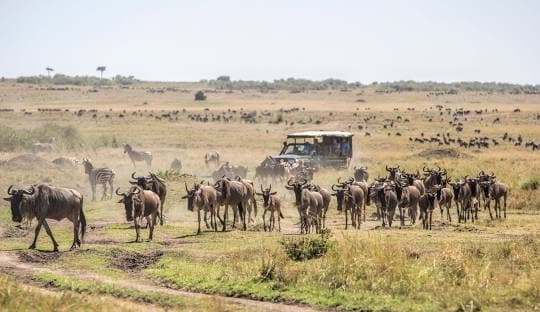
(320, 148)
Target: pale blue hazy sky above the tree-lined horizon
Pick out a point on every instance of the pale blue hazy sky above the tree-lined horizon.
(265, 40)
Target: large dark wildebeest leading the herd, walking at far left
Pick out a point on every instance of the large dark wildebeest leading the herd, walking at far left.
(47, 202)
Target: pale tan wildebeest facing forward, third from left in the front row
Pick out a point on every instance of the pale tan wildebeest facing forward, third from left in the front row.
(205, 198)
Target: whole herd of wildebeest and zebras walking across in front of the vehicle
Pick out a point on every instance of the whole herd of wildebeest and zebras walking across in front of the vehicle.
(411, 193)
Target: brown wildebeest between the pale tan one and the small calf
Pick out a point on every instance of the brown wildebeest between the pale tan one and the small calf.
(233, 193)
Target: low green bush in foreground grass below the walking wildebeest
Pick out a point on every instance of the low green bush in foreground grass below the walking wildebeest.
(307, 247)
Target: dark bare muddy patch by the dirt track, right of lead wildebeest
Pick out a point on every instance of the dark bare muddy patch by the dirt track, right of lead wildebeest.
(132, 261)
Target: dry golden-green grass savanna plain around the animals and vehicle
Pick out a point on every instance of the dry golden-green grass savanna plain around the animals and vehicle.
(489, 265)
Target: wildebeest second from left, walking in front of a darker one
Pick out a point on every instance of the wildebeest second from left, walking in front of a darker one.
(140, 204)
